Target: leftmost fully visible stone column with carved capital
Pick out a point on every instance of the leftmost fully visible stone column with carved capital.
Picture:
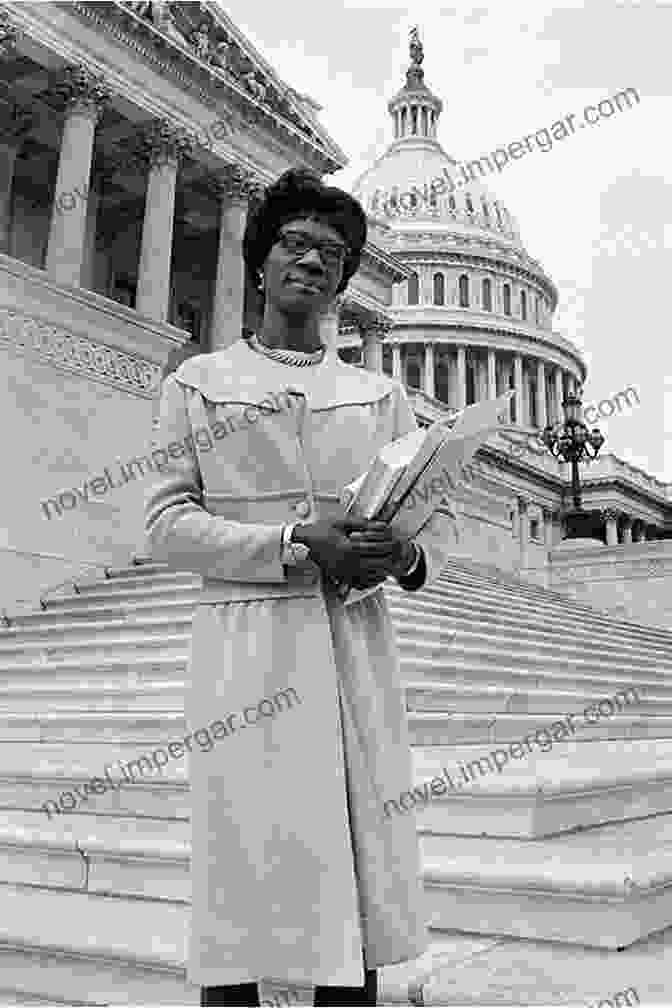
(86, 98)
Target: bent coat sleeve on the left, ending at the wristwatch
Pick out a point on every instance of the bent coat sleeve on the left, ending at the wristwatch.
(179, 530)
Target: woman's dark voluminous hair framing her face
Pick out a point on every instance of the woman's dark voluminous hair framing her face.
(297, 194)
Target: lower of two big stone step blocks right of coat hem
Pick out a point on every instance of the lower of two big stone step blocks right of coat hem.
(606, 888)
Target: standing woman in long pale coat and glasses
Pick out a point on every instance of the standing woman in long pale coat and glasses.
(297, 874)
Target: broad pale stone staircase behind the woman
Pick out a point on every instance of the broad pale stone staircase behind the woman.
(536, 874)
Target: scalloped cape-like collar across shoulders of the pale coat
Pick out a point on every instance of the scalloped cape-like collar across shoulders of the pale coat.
(239, 374)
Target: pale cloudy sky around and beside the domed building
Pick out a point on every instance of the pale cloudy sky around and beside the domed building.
(596, 210)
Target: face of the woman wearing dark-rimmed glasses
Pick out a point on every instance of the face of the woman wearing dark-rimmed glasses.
(300, 280)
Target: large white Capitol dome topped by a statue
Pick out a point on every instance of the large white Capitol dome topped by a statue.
(474, 319)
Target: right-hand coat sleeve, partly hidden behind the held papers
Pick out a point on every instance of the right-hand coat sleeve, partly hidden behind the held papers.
(439, 536)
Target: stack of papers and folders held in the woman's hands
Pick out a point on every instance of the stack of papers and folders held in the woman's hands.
(411, 476)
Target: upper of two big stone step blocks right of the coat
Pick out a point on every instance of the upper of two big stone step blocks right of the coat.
(572, 786)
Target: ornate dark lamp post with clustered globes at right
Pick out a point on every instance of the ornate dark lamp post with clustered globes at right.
(574, 443)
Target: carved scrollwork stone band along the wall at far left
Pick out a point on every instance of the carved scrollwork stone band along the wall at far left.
(78, 354)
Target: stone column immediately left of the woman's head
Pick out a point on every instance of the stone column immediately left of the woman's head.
(234, 189)
